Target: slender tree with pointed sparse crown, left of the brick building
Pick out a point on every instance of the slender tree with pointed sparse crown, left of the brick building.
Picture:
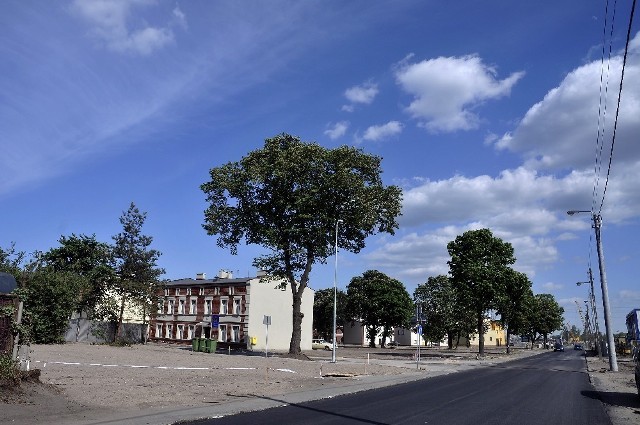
(137, 272)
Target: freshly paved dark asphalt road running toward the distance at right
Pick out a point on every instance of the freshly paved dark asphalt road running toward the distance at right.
(550, 389)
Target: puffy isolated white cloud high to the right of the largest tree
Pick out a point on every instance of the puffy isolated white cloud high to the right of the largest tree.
(447, 89)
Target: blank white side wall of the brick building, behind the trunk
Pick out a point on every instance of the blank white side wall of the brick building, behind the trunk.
(264, 299)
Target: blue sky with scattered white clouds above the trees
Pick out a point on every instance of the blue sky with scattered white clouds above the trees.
(487, 114)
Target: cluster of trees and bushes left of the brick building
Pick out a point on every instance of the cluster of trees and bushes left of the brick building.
(85, 275)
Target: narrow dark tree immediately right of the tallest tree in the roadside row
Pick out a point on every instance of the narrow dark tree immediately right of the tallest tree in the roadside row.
(512, 302)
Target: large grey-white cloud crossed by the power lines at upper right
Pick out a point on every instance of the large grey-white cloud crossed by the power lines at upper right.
(560, 131)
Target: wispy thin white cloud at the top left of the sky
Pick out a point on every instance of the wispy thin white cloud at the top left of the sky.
(109, 21)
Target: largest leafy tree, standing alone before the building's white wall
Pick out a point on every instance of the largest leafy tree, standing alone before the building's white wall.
(288, 197)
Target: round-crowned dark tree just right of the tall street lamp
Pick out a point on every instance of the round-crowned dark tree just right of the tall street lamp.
(380, 302)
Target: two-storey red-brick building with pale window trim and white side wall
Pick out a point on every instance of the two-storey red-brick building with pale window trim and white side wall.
(238, 312)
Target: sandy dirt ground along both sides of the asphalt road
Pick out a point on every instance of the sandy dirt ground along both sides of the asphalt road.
(81, 383)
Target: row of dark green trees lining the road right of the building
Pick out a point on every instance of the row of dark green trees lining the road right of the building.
(456, 305)
